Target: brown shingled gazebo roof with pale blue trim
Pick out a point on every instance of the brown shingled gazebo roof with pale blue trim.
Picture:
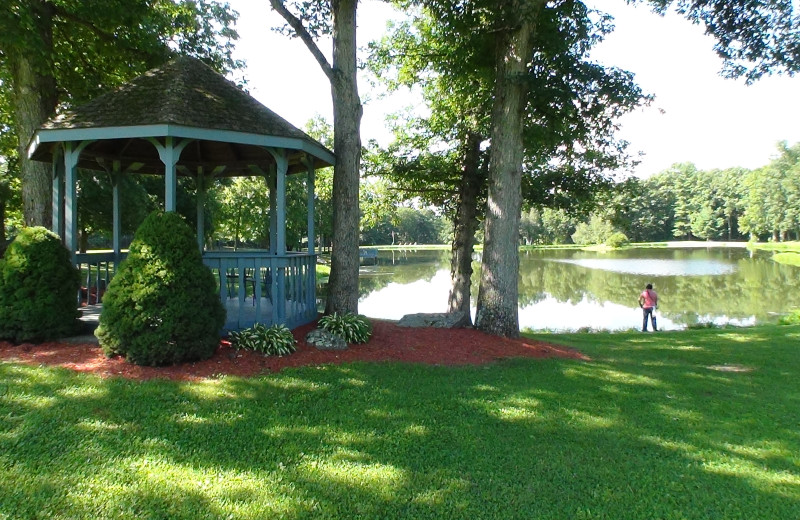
(186, 99)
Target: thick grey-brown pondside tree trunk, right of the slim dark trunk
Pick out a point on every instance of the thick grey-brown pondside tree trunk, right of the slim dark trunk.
(498, 292)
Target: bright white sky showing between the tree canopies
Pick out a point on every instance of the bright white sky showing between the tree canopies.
(697, 115)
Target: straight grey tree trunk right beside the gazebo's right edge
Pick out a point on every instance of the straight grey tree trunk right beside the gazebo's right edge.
(343, 282)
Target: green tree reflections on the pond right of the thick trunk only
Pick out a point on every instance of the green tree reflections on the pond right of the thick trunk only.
(758, 288)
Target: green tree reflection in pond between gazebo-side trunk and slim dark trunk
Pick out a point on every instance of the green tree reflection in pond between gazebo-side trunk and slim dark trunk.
(401, 266)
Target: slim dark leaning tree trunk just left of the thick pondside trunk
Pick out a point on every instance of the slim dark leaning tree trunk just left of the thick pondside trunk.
(465, 225)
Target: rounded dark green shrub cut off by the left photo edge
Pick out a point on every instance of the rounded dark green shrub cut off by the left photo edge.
(38, 288)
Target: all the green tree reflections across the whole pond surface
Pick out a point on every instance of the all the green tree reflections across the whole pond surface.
(757, 287)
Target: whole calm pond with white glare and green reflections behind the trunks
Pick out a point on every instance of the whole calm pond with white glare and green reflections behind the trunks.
(567, 290)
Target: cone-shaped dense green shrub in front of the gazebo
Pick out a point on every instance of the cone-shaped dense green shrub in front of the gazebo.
(162, 307)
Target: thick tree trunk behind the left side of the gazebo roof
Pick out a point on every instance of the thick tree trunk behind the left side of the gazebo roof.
(34, 97)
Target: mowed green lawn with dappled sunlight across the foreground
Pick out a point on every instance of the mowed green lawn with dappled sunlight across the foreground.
(678, 425)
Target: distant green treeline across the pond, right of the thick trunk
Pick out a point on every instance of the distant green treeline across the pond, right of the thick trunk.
(684, 203)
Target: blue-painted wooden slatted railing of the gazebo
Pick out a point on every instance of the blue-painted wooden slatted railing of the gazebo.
(254, 286)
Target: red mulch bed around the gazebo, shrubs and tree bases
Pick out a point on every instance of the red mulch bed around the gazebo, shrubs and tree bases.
(389, 343)
